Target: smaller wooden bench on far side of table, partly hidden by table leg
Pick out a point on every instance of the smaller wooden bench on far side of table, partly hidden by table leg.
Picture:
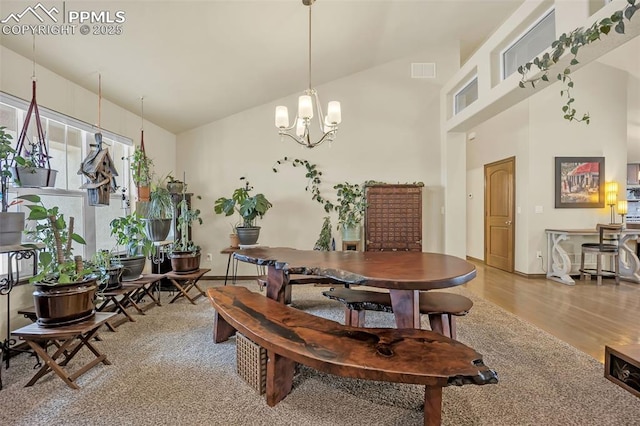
(442, 308)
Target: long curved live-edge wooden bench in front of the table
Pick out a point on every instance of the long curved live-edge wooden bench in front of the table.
(386, 354)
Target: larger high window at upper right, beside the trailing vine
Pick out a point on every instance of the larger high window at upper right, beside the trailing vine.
(534, 41)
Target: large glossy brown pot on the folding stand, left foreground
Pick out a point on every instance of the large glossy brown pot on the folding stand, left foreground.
(63, 304)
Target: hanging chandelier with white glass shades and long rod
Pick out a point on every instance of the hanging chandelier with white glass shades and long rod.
(299, 131)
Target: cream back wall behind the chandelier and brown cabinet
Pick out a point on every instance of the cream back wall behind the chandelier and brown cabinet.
(390, 132)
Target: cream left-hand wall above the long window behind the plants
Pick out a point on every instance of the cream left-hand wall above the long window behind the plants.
(59, 94)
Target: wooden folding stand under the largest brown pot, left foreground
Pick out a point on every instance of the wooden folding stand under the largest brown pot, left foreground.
(68, 339)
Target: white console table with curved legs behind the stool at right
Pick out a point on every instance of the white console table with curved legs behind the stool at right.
(560, 264)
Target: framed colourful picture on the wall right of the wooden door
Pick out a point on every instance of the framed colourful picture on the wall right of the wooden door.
(578, 182)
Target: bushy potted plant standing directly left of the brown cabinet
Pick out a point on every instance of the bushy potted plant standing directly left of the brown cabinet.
(351, 206)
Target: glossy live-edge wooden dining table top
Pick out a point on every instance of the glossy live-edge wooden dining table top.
(391, 270)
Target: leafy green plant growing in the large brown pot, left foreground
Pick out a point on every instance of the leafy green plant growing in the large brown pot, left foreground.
(56, 264)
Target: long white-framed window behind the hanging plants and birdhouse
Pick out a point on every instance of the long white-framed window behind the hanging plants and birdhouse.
(68, 142)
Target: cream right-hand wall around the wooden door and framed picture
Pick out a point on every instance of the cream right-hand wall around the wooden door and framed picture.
(535, 132)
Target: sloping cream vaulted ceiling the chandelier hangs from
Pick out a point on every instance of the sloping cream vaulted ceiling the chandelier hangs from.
(199, 61)
